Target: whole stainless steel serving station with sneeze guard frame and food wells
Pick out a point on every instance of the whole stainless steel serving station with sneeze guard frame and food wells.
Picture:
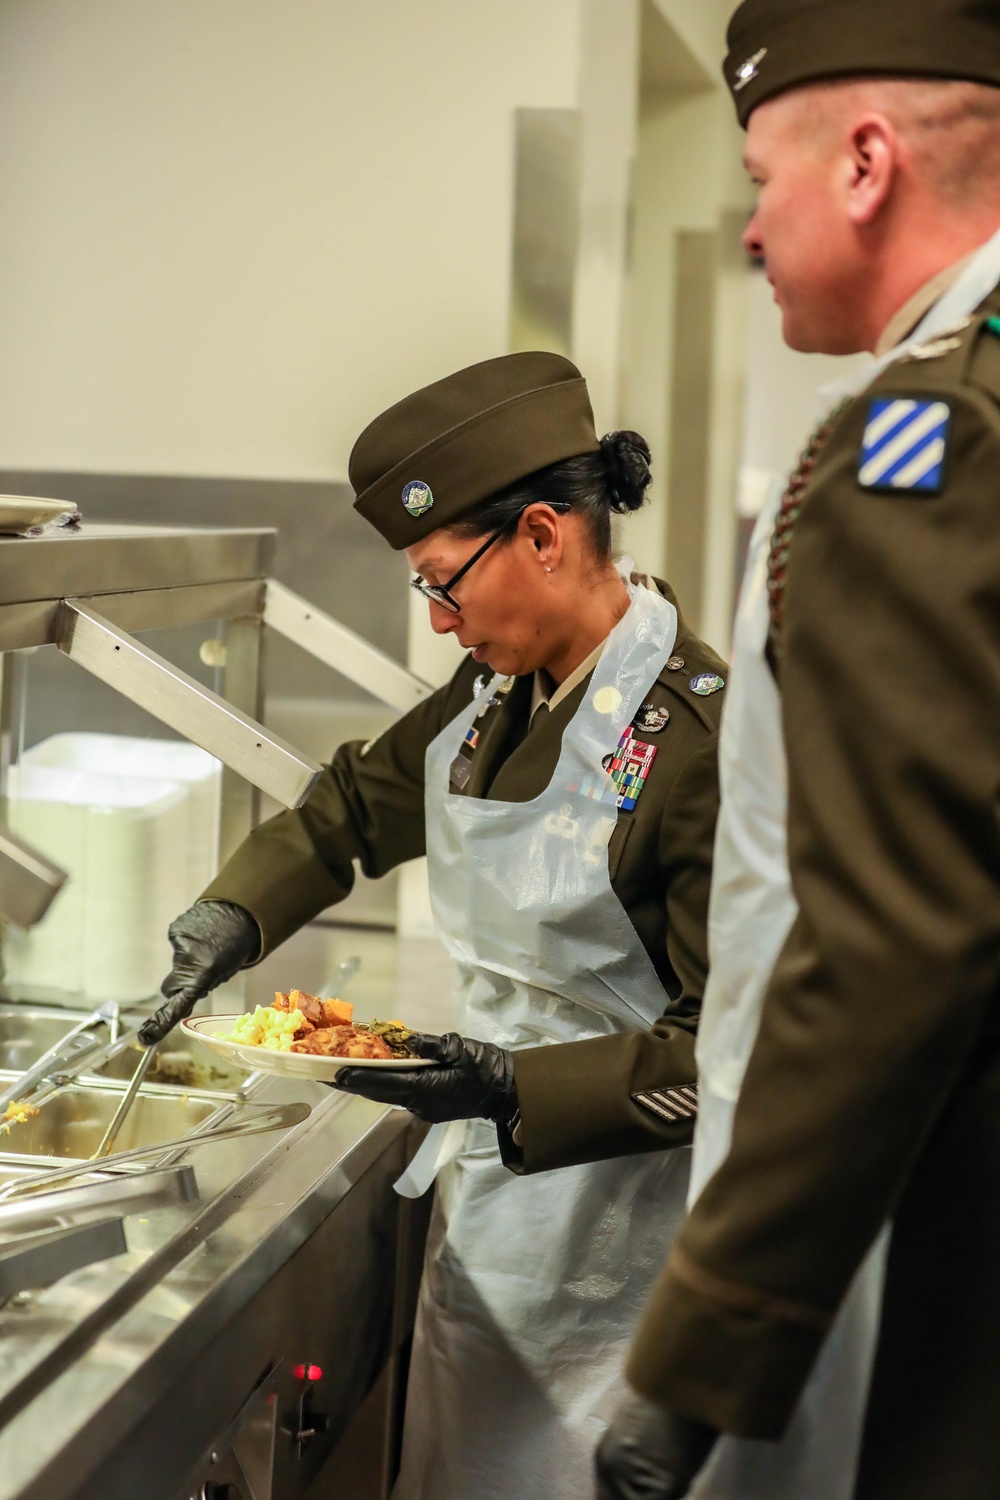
(229, 1346)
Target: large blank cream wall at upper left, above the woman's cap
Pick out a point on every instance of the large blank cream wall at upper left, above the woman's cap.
(236, 229)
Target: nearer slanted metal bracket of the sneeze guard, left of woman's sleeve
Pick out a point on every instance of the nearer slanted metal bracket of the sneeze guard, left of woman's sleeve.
(187, 706)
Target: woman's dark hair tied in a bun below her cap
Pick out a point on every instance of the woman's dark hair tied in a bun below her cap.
(594, 485)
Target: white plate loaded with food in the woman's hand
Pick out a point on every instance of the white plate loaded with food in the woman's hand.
(304, 1037)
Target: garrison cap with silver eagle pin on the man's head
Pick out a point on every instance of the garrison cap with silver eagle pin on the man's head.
(776, 46)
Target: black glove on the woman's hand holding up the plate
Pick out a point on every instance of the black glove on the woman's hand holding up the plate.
(476, 1081)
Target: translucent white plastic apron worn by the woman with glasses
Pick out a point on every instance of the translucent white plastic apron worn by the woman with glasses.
(533, 1286)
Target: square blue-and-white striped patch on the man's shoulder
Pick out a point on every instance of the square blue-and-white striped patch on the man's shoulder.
(906, 446)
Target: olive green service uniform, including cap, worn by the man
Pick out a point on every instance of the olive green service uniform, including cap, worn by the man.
(870, 1105)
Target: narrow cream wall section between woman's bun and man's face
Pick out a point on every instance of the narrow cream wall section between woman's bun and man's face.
(689, 178)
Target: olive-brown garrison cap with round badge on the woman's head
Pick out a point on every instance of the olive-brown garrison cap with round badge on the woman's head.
(440, 452)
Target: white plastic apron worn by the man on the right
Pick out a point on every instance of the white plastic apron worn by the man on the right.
(750, 916)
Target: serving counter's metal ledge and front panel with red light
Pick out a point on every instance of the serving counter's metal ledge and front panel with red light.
(121, 1379)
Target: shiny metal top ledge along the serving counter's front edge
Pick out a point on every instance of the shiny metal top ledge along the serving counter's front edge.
(124, 1333)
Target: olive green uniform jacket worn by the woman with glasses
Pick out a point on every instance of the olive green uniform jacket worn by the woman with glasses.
(578, 1103)
